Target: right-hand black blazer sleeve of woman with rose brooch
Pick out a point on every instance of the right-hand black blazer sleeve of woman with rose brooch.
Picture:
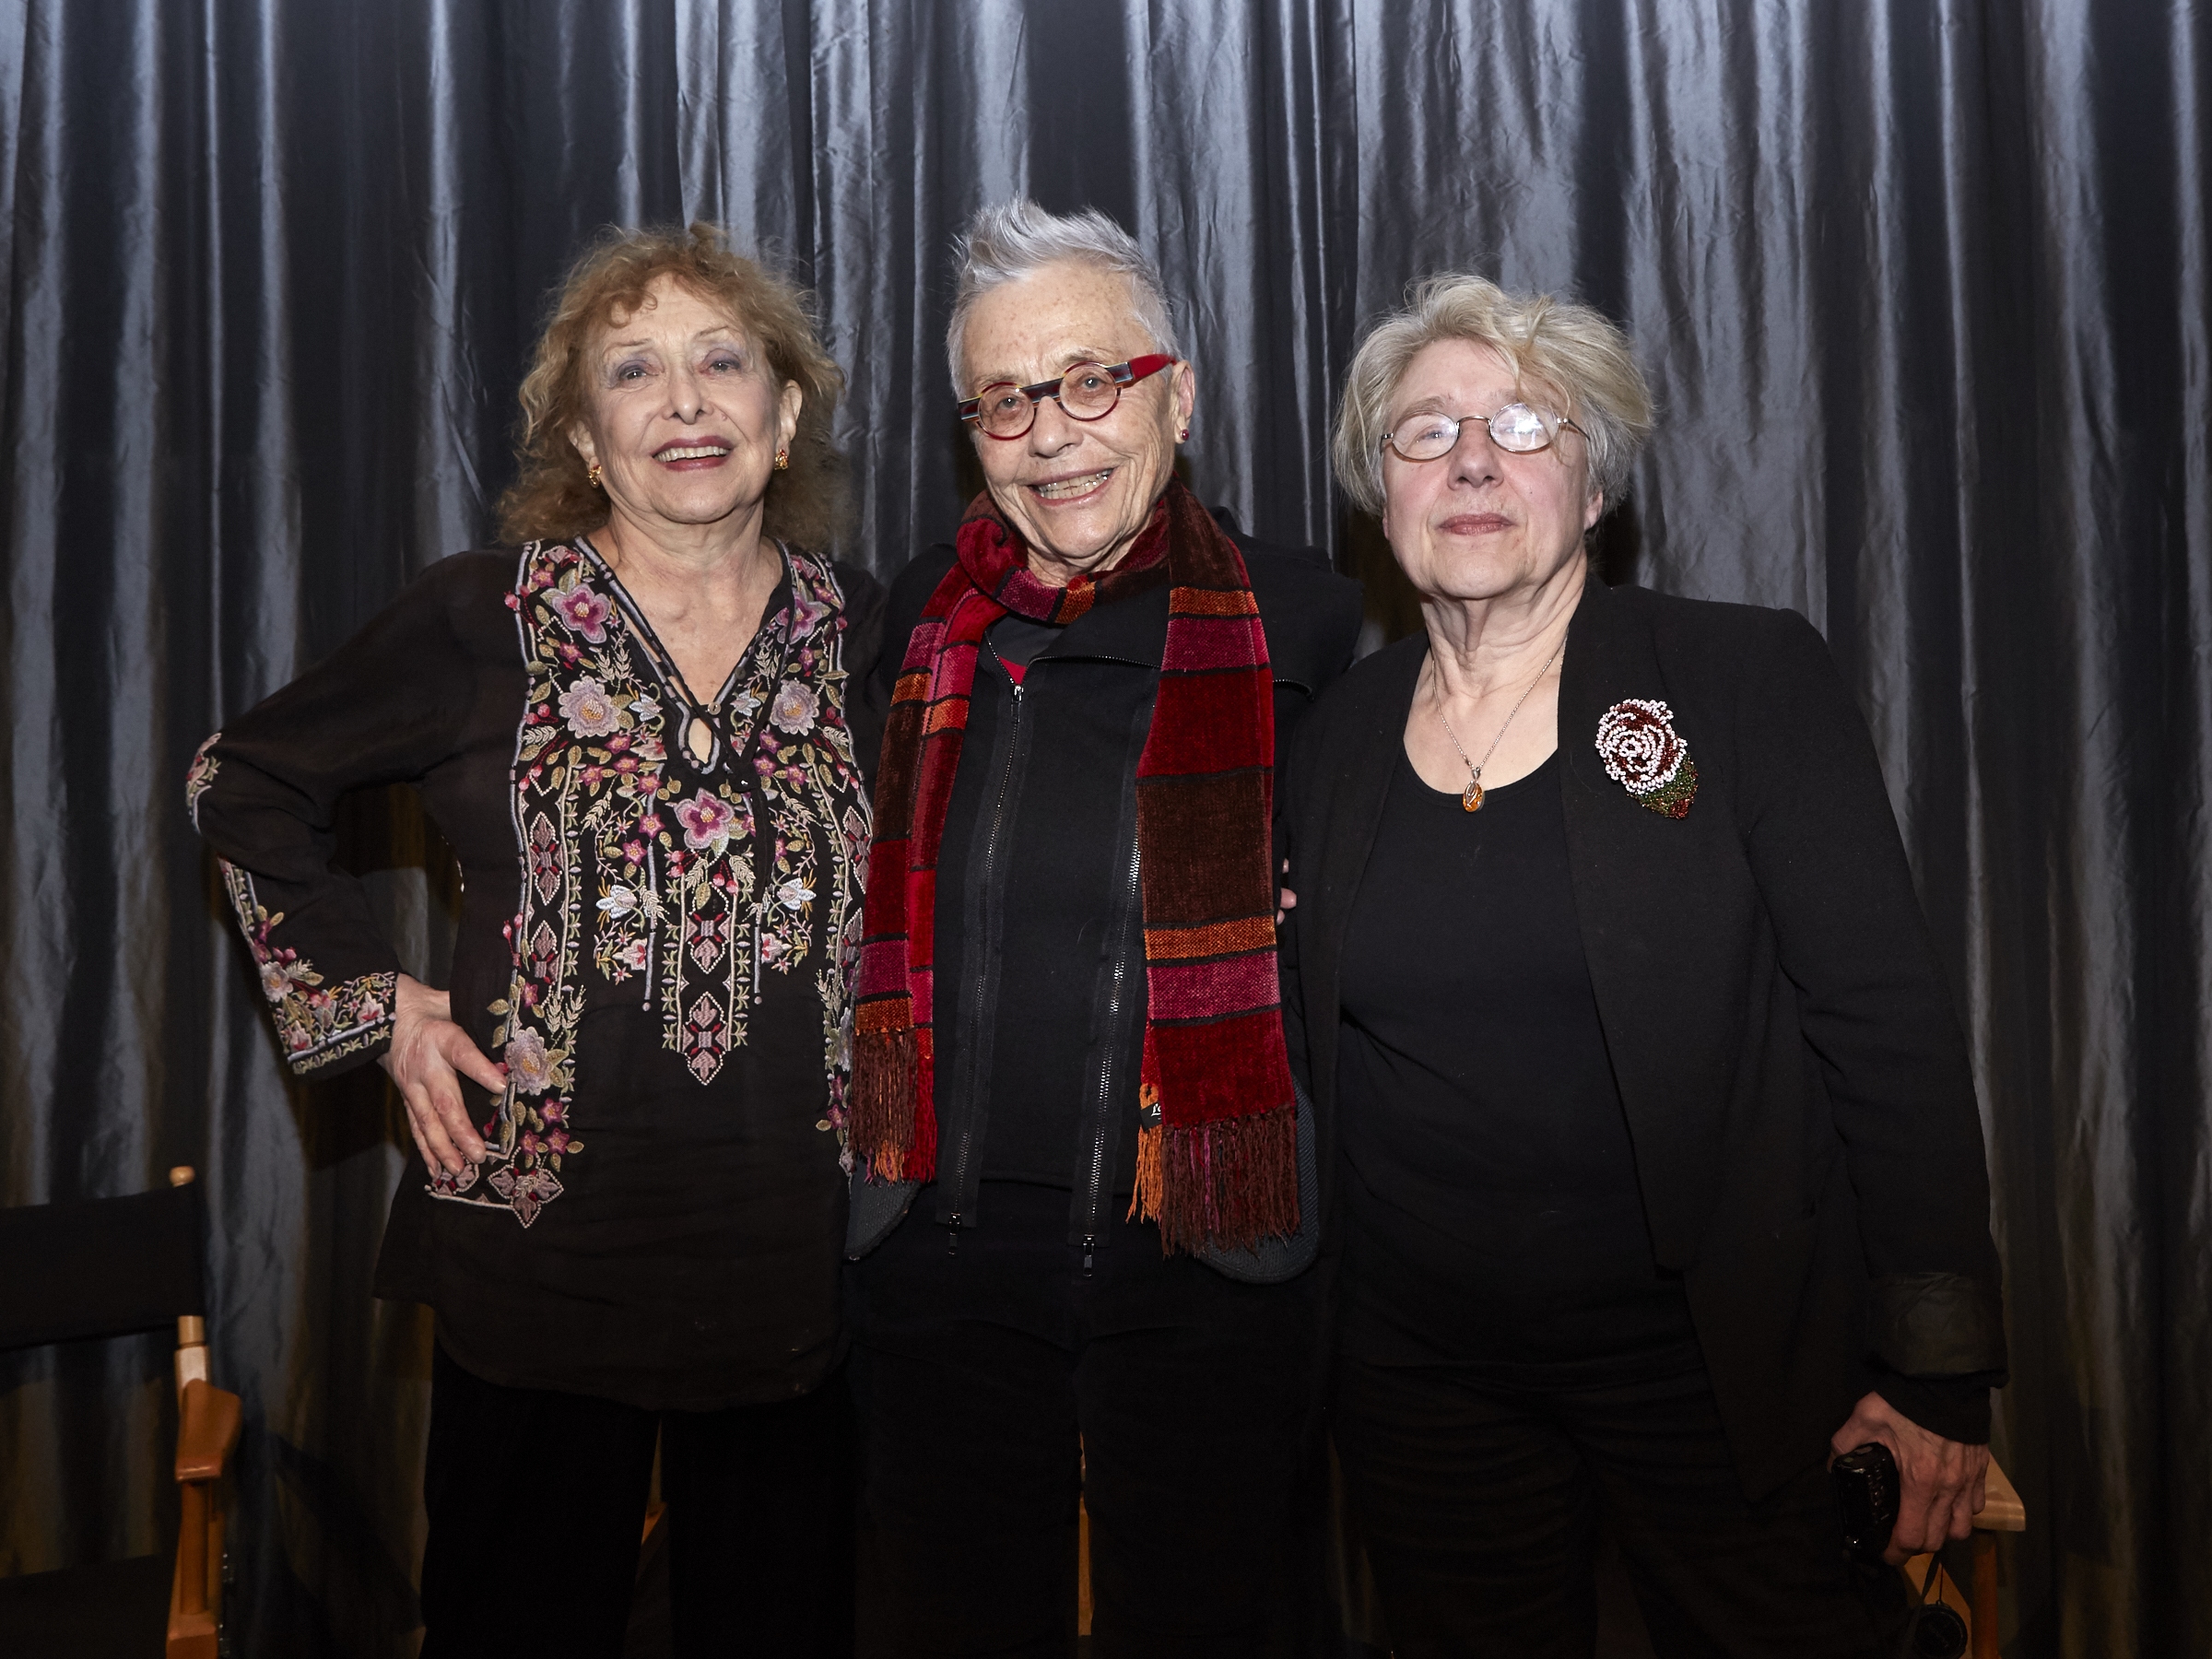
(1877, 1012)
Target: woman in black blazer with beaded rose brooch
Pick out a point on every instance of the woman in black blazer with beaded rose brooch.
(1658, 1147)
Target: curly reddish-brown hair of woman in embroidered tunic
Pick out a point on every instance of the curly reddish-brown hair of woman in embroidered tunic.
(552, 499)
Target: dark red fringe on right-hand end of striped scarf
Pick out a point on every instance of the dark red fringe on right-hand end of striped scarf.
(1224, 1185)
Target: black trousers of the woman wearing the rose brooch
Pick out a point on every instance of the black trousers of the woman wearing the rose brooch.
(1481, 1512)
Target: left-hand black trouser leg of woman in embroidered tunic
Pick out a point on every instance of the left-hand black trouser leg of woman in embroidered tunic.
(536, 1505)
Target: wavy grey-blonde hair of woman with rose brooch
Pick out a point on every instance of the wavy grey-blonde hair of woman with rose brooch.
(1574, 353)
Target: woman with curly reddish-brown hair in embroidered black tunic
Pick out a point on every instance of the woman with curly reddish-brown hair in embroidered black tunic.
(636, 729)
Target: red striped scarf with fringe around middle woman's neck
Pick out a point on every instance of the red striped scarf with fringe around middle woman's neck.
(1218, 1136)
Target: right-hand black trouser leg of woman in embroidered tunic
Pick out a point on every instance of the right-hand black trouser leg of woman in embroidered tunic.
(760, 1527)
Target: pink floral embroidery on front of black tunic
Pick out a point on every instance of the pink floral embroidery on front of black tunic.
(682, 884)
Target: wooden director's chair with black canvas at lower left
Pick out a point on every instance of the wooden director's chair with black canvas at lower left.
(112, 1269)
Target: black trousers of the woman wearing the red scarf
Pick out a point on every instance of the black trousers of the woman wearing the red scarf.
(990, 1379)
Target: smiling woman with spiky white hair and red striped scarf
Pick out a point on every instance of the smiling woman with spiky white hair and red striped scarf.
(1083, 1235)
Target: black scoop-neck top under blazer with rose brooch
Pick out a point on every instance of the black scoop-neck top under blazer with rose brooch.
(1492, 1189)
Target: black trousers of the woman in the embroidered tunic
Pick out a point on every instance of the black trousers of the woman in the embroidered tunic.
(536, 1505)
